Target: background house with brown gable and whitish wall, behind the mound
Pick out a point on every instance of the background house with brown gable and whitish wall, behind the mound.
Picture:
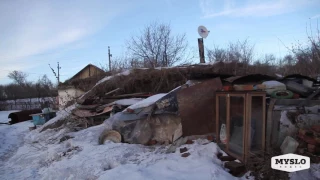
(80, 83)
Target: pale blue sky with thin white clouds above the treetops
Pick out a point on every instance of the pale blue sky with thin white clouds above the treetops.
(34, 33)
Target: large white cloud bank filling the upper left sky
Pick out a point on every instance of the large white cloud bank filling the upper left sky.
(33, 27)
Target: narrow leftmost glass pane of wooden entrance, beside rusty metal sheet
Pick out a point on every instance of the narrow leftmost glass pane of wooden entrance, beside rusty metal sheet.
(222, 120)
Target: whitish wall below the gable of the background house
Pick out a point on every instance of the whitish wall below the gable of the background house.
(66, 95)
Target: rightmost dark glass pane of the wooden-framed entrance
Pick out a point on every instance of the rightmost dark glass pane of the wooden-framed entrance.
(256, 123)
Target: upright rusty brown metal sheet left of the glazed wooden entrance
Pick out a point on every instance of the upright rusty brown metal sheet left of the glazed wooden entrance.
(197, 107)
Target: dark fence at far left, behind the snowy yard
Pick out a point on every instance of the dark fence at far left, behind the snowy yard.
(27, 104)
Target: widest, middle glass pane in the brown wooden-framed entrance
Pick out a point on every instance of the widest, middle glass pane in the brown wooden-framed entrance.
(236, 125)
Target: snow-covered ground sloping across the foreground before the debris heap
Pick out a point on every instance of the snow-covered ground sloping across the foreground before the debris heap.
(28, 154)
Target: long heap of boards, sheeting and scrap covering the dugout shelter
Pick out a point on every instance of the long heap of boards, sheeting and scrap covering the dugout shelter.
(161, 106)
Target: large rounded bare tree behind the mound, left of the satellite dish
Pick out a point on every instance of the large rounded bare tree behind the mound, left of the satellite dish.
(157, 46)
